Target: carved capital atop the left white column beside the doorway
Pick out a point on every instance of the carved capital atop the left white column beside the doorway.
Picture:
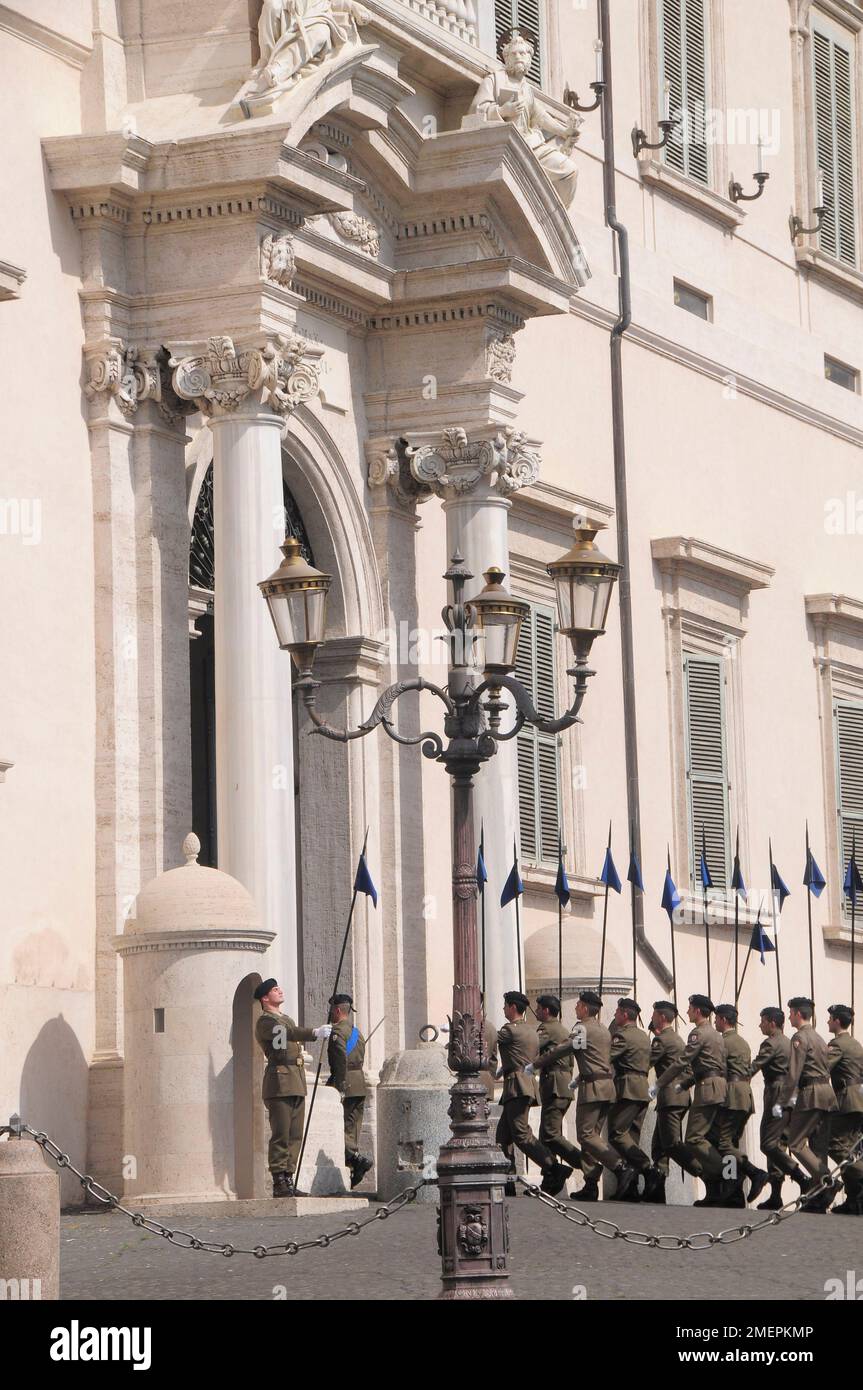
(283, 375)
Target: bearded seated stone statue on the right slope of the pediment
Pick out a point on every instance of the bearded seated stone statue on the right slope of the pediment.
(507, 95)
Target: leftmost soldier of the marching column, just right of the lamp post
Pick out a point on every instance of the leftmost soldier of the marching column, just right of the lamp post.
(519, 1047)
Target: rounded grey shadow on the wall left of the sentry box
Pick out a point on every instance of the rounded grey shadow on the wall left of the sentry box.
(55, 1096)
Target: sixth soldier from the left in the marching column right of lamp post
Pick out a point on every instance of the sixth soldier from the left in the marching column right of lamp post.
(705, 1058)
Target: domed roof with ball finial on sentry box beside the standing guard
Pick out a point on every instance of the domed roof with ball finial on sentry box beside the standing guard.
(192, 899)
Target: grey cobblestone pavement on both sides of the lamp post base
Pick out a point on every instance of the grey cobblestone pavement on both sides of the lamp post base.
(106, 1259)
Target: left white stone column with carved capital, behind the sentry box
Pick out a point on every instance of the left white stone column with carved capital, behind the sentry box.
(247, 394)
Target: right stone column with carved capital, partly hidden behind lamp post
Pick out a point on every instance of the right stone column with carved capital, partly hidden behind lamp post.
(476, 479)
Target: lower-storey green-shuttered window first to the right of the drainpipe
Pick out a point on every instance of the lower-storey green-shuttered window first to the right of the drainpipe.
(708, 765)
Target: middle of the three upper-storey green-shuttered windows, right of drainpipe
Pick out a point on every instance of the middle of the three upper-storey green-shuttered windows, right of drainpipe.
(683, 52)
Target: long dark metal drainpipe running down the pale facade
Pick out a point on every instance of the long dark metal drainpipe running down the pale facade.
(654, 960)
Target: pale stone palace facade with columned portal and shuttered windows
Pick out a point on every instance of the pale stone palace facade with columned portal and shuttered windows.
(270, 266)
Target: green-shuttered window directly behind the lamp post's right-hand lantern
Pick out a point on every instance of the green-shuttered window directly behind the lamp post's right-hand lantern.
(539, 753)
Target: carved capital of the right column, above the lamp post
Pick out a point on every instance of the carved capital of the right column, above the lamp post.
(458, 464)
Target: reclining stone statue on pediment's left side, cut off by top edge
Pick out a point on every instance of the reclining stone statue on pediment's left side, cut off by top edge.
(295, 37)
